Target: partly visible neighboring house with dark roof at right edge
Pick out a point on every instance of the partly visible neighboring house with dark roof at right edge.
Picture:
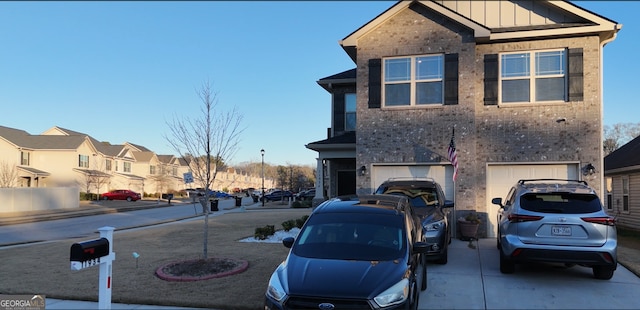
(622, 175)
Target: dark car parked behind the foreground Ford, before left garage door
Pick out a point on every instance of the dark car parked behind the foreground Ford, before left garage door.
(429, 204)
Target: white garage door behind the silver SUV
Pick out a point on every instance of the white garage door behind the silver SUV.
(500, 178)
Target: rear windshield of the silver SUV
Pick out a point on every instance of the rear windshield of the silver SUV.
(567, 203)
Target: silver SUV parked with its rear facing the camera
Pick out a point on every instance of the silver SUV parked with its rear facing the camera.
(551, 220)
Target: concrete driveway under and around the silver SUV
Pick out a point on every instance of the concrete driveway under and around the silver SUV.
(472, 280)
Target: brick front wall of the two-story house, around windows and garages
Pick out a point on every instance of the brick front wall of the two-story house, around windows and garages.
(529, 133)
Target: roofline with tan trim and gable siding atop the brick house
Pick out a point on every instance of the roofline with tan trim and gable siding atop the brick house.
(504, 20)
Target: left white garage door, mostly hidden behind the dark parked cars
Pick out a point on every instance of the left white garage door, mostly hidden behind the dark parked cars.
(442, 175)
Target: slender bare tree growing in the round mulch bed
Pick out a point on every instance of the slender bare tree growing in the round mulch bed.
(209, 138)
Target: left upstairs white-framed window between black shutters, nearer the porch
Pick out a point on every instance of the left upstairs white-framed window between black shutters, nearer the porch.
(413, 81)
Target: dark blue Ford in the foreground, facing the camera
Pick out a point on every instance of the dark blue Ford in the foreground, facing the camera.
(362, 253)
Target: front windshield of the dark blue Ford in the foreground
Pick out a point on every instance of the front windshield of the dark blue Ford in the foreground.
(352, 237)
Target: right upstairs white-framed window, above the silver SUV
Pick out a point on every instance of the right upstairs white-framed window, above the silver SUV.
(533, 76)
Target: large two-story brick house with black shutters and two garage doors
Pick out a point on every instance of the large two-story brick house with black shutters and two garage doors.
(519, 81)
